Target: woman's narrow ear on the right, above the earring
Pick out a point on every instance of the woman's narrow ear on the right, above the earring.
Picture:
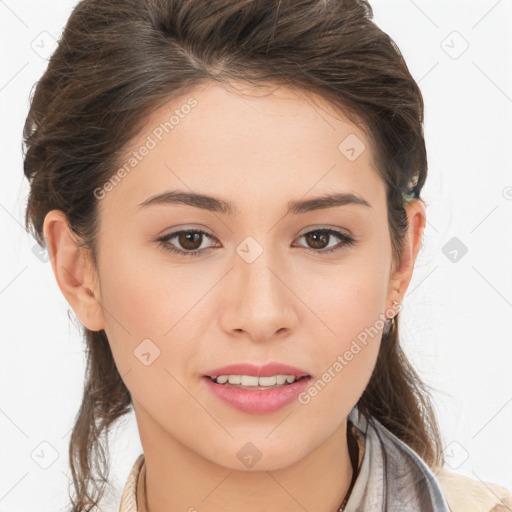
(401, 277)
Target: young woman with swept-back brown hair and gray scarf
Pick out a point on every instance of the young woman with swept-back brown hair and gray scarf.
(230, 195)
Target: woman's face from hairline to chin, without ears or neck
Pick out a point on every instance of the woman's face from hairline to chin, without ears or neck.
(261, 287)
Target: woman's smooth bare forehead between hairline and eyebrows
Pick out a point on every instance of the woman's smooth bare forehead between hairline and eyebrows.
(252, 144)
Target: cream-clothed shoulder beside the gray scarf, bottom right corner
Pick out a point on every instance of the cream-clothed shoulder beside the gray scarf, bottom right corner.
(465, 494)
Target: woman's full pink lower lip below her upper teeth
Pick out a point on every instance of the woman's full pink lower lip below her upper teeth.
(258, 401)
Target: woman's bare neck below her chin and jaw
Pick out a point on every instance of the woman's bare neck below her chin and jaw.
(176, 478)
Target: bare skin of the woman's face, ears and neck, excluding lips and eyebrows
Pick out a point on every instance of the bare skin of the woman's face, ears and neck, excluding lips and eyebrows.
(291, 304)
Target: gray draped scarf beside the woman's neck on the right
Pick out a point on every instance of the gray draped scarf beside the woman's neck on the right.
(392, 477)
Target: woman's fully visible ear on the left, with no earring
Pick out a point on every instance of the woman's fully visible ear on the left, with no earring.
(73, 270)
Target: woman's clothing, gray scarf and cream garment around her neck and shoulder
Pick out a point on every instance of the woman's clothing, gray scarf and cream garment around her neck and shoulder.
(410, 485)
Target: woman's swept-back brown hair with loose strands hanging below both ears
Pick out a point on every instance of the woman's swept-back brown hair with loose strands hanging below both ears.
(119, 59)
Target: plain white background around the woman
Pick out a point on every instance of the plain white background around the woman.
(457, 315)
